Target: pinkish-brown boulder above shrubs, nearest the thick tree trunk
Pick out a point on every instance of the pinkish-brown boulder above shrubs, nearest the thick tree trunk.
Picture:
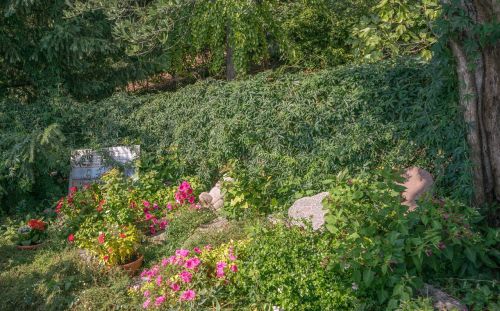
(417, 182)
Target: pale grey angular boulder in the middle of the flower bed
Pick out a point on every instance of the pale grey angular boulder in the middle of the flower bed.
(310, 208)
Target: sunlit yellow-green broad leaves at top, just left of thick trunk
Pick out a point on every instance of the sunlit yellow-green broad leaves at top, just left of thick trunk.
(396, 27)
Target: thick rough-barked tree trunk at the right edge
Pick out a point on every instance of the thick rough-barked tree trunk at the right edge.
(479, 77)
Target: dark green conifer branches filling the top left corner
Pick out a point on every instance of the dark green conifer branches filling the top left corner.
(56, 45)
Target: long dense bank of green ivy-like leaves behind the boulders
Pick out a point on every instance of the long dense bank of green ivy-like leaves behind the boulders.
(301, 127)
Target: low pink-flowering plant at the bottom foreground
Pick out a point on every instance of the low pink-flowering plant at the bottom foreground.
(188, 275)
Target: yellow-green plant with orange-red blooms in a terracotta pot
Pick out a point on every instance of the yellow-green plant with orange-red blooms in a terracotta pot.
(113, 244)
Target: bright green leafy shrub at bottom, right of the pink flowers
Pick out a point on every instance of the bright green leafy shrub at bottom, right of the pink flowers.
(285, 267)
